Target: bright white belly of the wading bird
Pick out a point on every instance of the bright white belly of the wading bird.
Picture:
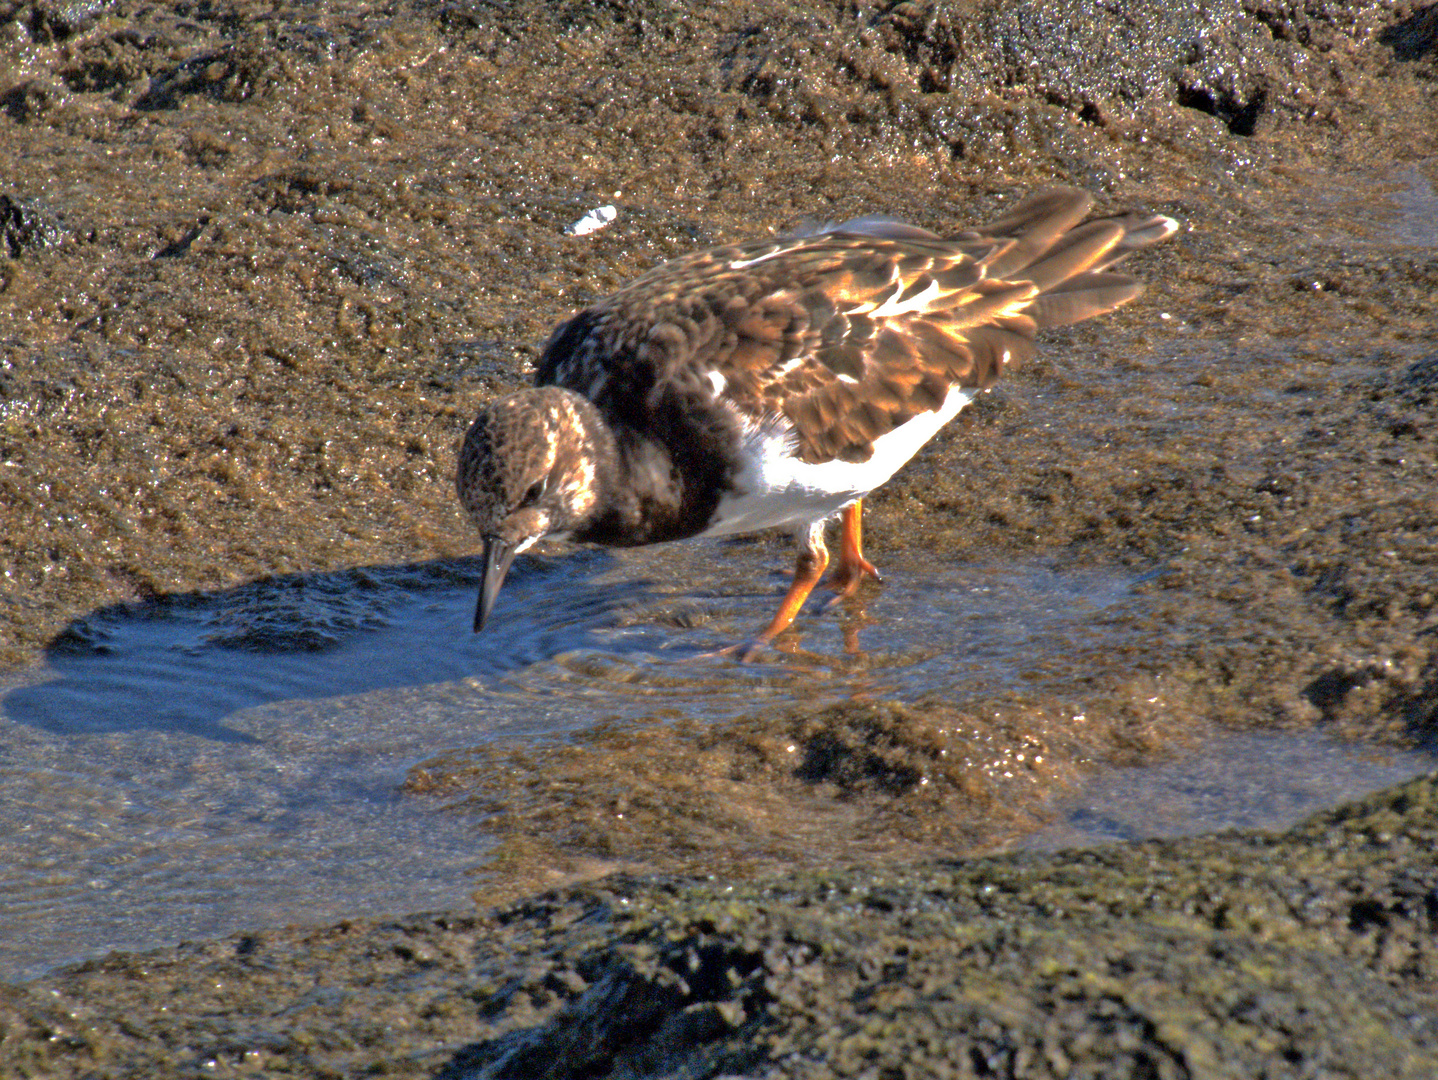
(776, 490)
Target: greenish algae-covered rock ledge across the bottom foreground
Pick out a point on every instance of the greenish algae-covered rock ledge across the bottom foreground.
(1227, 956)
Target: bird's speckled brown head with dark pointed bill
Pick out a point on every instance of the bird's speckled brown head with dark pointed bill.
(527, 471)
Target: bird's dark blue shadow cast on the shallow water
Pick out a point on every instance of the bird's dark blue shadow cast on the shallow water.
(186, 664)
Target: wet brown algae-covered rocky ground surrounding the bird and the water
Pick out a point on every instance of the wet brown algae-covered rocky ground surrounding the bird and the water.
(265, 262)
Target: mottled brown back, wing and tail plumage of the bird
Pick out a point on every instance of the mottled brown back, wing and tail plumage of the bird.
(848, 333)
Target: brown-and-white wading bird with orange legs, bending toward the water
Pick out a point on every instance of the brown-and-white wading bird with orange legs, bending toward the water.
(776, 383)
